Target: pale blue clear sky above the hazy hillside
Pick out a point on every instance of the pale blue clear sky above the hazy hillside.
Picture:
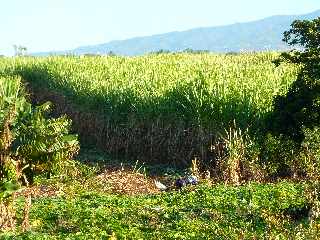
(43, 25)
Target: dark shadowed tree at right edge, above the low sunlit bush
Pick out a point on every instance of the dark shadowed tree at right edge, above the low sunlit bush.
(300, 107)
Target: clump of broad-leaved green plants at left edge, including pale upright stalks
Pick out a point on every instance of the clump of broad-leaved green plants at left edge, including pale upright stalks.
(29, 140)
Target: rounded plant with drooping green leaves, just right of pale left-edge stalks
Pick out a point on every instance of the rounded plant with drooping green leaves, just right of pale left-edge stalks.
(41, 142)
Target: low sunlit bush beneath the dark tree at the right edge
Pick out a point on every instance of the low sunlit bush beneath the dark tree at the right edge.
(284, 157)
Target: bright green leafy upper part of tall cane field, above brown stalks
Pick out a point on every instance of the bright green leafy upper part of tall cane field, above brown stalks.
(203, 89)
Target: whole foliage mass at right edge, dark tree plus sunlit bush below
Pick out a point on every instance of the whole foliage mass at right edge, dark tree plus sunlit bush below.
(291, 147)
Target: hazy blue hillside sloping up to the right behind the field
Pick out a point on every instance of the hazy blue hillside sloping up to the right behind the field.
(265, 34)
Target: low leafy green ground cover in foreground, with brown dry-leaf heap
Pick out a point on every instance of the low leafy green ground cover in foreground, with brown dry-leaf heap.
(85, 207)
